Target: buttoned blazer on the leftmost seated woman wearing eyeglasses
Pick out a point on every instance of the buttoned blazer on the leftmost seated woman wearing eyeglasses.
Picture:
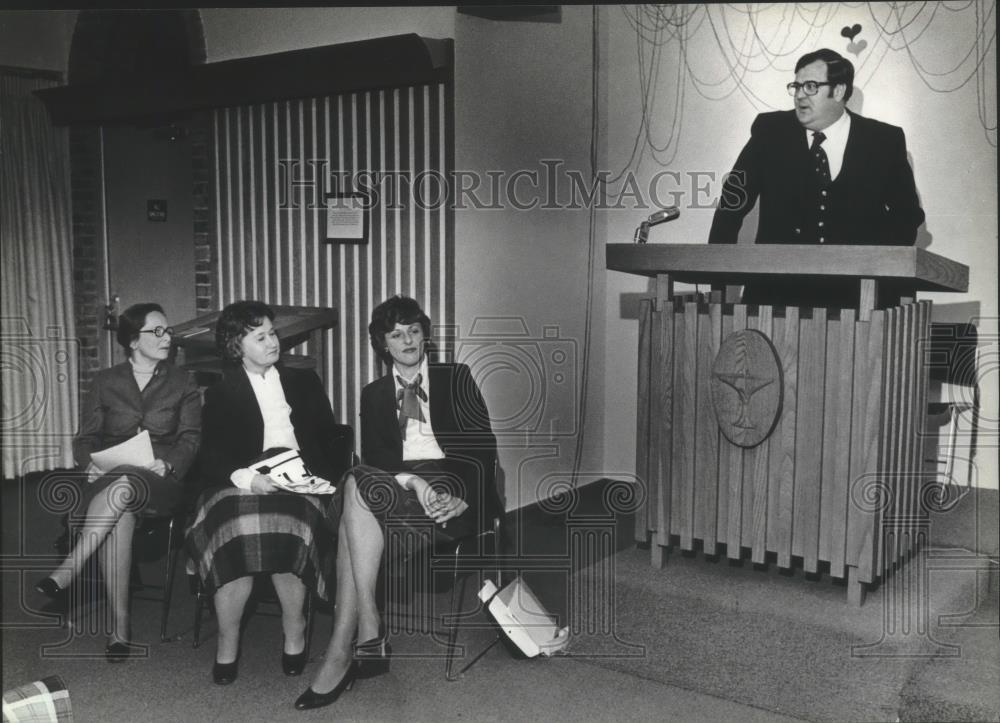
(115, 410)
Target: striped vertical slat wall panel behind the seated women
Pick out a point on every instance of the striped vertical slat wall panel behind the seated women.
(279, 255)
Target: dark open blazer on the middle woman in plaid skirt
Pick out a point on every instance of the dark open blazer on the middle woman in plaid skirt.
(233, 427)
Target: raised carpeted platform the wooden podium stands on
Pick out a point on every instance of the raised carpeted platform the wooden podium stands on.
(793, 646)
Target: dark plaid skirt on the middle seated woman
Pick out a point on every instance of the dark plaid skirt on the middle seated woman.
(238, 533)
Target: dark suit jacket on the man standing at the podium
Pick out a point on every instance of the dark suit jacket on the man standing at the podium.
(878, 203)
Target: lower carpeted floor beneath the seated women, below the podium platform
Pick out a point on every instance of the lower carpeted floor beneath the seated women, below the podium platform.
(173, 682)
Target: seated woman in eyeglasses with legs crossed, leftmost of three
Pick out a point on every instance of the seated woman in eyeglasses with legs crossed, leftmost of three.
(144, 393)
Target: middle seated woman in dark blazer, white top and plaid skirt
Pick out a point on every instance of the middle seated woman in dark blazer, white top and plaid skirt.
(251, 525)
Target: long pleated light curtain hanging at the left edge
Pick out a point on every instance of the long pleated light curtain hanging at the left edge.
(39, 356)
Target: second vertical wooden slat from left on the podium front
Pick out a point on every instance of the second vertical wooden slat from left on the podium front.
(664, 328)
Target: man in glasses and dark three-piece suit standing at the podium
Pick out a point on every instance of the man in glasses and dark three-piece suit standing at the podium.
(823, 175)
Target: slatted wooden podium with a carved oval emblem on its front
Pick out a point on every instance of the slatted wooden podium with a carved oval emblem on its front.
(792, 432)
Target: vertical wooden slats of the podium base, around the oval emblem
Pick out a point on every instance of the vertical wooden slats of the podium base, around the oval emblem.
(842, 465)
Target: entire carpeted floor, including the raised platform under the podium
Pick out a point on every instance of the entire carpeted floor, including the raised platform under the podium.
(700, 640)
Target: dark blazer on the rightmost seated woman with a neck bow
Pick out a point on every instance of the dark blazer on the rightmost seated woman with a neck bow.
(461, 425)
